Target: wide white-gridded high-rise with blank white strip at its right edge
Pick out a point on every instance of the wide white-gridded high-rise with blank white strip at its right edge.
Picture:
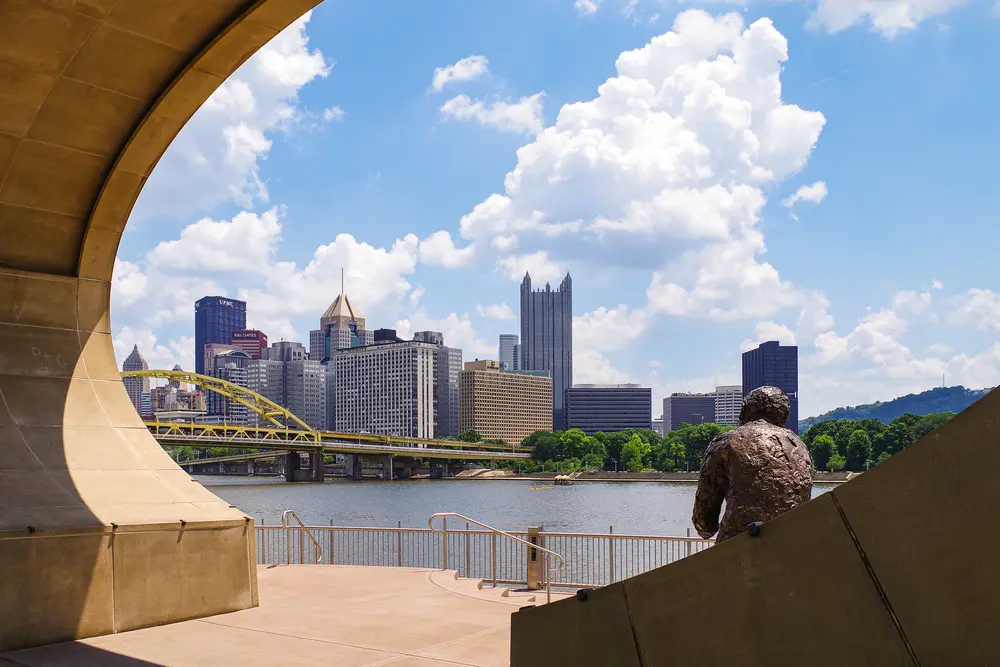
(386, 388)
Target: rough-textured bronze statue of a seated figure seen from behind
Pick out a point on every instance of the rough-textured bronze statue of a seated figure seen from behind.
(761, 469)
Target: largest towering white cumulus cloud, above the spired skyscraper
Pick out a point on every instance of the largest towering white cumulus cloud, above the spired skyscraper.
(665, 170)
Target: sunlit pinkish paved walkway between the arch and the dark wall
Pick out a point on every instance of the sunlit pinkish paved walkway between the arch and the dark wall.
(335, 616)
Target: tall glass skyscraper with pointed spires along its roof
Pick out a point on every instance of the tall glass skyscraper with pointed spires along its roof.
(547, 338)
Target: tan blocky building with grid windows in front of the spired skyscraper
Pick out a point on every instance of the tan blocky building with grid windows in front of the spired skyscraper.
(504, 405)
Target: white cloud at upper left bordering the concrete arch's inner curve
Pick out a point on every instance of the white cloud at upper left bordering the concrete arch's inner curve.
(216, 157)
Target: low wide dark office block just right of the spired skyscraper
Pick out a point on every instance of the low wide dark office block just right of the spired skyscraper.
(608, 408)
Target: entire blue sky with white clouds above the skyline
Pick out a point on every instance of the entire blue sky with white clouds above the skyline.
(820, 173)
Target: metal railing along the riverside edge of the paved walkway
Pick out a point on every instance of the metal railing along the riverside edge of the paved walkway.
(591, 559)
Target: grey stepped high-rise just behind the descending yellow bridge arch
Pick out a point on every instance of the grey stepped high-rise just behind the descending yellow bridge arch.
(289, 378)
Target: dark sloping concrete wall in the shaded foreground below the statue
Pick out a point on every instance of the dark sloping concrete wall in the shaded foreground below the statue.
(896, 567)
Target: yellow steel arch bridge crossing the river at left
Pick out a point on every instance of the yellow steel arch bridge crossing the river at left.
(277, 428)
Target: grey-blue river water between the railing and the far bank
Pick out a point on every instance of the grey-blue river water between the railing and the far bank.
(644, 508)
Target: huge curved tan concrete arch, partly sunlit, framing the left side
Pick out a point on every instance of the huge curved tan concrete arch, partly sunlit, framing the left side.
(99, 530)
